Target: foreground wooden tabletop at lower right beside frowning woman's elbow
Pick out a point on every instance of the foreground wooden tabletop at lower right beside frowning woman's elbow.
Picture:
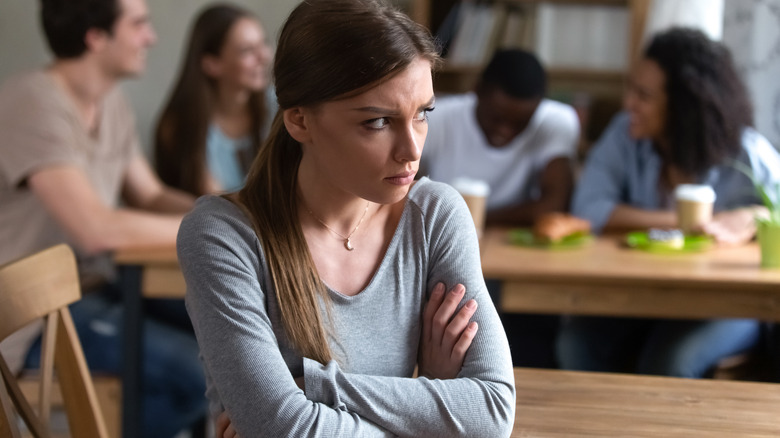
(554, 403)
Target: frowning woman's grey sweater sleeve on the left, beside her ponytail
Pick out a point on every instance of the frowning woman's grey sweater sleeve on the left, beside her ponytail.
(218, 254)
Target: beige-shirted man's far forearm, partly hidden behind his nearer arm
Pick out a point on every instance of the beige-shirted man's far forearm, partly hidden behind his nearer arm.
(143, 190)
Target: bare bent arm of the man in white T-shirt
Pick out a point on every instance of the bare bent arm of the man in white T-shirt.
(557, 184)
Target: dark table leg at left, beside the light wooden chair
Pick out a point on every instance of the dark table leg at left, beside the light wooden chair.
(132, 350)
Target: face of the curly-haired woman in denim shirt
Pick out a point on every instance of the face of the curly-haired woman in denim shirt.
(646, 100)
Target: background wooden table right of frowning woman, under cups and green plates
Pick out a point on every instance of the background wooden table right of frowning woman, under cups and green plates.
(605, 278)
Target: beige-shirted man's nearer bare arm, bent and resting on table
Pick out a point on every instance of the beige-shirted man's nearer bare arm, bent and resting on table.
(68, 195)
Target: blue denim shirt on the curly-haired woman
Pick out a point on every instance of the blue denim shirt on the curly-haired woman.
(622, 170)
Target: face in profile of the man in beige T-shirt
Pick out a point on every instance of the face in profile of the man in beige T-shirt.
(123, 53)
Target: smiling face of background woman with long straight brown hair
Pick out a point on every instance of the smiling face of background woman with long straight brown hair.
(244, 59)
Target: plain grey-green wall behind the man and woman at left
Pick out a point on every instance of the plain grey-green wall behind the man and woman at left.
(22, 46)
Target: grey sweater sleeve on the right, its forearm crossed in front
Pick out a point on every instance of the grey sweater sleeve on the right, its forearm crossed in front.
(481, 400)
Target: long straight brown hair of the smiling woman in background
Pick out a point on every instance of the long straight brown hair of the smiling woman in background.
(180, 136)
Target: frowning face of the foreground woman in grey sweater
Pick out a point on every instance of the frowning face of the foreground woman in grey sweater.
(369, 145)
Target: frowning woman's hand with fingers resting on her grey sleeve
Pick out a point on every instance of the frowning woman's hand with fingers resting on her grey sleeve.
(446, 335)
